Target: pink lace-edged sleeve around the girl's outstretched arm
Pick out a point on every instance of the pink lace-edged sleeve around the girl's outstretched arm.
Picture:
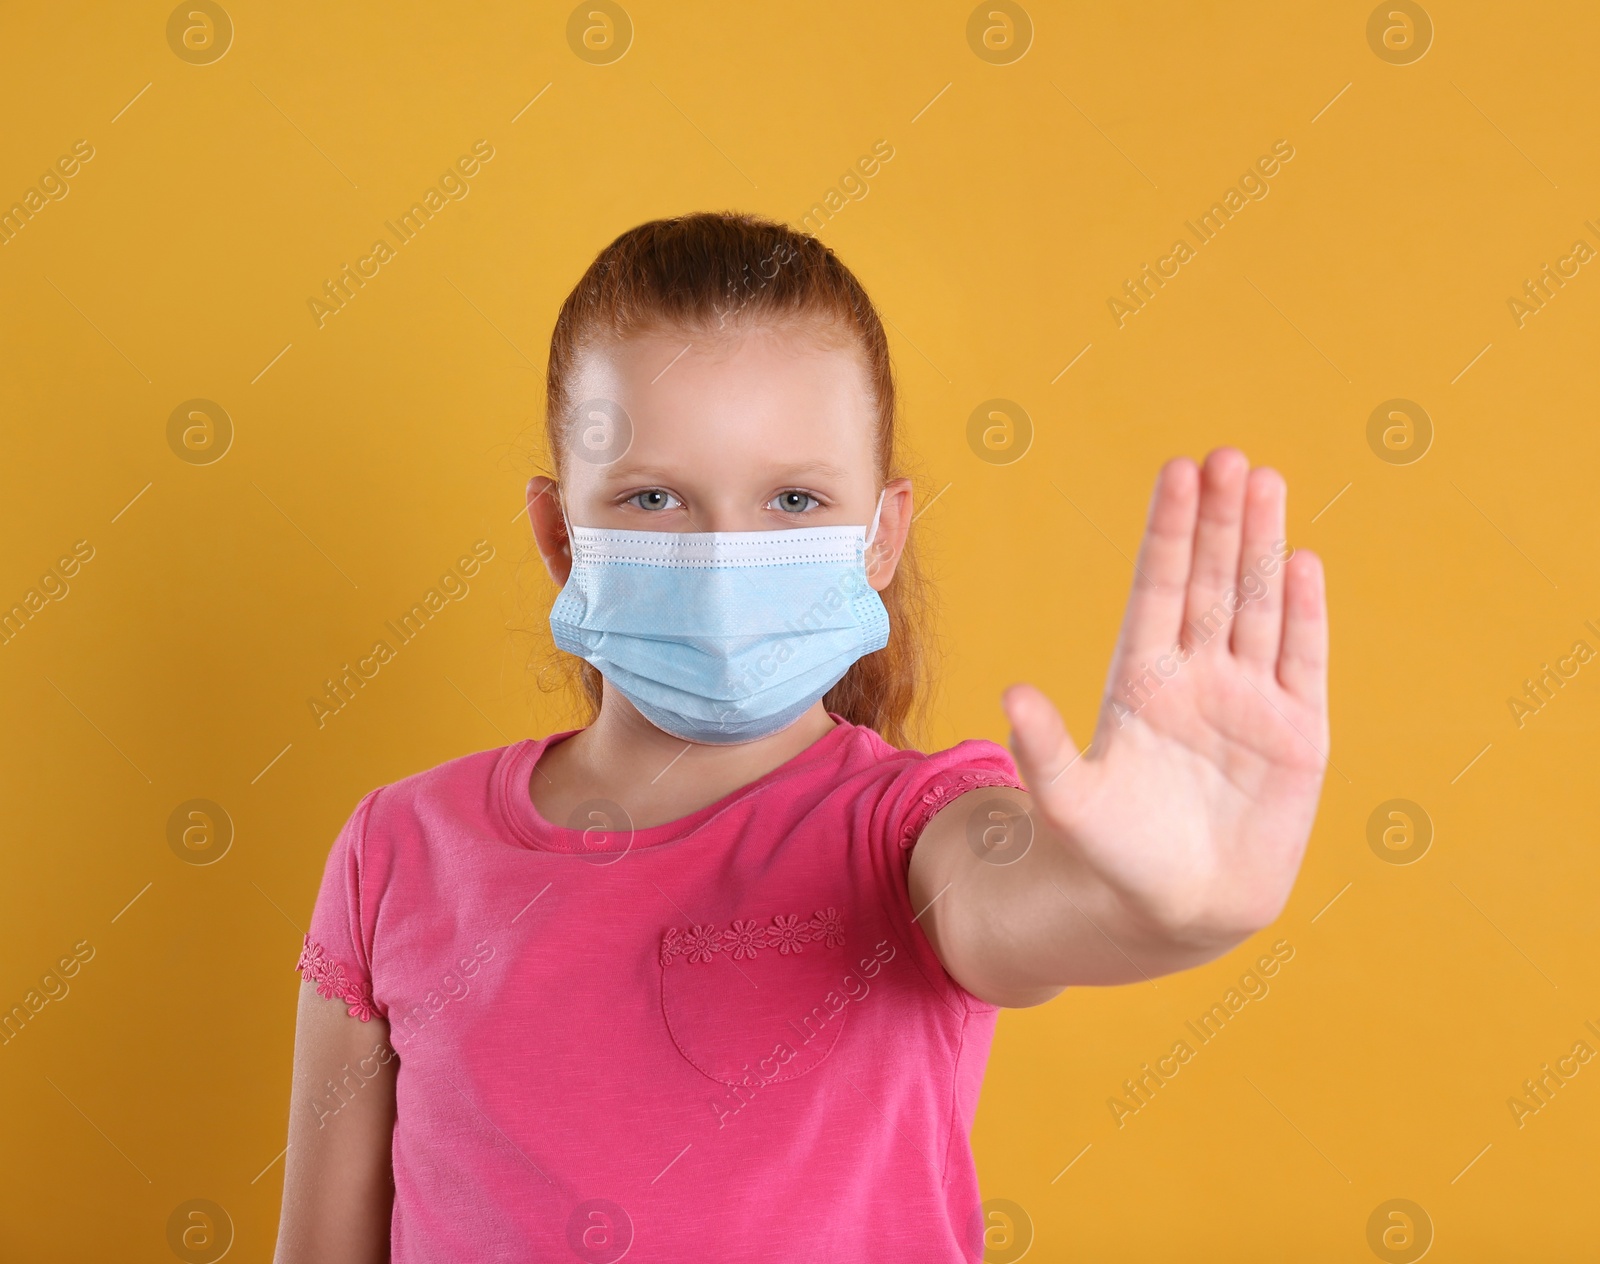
(914, 798)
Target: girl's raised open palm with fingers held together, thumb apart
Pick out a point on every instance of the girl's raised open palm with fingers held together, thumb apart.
(1196, 799)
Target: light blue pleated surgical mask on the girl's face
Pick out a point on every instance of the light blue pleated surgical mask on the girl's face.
(721, 638)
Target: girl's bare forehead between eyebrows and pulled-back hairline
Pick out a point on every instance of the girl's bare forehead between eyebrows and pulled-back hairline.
(762, 396)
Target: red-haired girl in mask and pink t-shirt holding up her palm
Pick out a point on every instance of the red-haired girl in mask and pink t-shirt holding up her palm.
(714, 978)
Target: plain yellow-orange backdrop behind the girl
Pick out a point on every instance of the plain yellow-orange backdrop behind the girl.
(377, 449)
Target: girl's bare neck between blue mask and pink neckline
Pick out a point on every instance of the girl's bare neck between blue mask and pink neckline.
(654, 777)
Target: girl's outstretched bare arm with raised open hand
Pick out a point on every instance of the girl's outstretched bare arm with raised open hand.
(1182, 830)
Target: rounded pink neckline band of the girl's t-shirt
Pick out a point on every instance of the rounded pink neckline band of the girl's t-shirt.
(534, 831)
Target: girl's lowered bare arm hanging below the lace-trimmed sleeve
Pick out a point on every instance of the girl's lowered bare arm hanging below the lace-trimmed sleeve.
(338, 1183)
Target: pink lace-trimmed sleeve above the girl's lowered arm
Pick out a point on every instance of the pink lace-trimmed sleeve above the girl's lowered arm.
(337, 954)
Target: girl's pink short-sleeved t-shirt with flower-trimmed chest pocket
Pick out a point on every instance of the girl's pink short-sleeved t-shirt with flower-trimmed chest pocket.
(716, 1039)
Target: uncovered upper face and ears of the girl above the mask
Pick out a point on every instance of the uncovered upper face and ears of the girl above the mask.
(750, 431)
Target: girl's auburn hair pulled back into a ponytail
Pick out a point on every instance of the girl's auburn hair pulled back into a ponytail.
(703, 274)
